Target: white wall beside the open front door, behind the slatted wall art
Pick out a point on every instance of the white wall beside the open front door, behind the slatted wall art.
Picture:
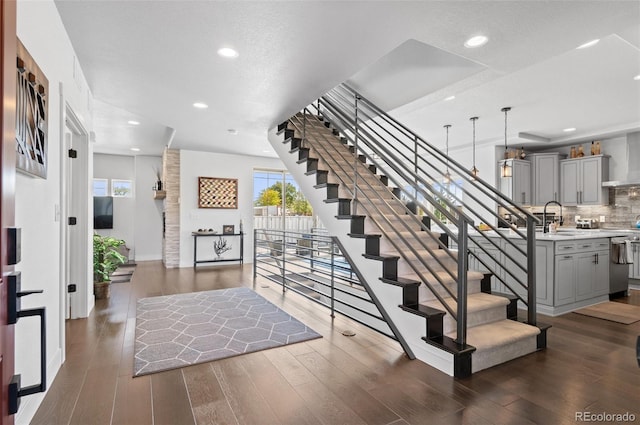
(41, 31)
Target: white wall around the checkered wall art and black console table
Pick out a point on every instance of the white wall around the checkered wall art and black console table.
(201, 164)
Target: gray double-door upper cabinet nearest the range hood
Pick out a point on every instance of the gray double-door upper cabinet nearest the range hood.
(581, 180)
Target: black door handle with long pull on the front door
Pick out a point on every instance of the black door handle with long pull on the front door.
(15, 312)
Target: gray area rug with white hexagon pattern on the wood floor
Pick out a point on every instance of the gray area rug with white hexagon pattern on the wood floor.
(180, 330)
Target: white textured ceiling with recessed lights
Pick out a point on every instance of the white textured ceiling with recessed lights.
(149, 61)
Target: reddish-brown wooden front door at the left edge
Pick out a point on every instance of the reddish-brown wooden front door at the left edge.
(8, 44)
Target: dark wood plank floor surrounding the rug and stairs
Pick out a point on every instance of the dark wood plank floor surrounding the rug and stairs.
(589, 365)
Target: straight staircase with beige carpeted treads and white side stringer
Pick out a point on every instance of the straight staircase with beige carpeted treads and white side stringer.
(440, 312)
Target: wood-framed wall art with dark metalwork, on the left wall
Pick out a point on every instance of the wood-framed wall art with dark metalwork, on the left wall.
(32, 90)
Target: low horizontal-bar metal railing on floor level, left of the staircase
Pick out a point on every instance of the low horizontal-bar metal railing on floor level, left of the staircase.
(313, 266)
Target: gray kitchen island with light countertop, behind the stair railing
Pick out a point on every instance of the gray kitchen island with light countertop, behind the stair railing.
(572, 266)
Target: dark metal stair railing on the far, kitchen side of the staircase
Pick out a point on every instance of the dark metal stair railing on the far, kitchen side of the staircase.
(415, 166)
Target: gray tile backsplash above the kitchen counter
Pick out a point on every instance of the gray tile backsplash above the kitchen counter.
(623, 208)
